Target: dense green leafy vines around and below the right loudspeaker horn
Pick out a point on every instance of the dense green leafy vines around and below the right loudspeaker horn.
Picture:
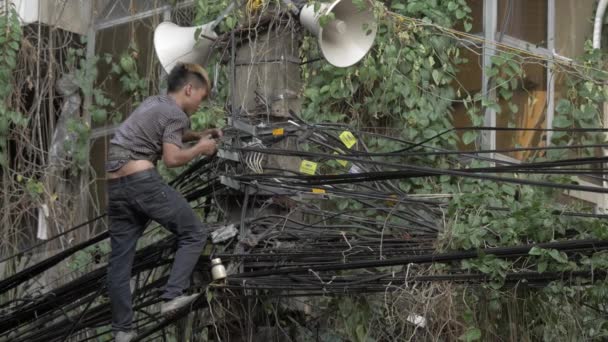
(404, 82)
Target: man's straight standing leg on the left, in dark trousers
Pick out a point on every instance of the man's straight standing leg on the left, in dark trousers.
(126, 227)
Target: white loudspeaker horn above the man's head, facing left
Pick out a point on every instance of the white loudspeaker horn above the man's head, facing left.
(175, 44)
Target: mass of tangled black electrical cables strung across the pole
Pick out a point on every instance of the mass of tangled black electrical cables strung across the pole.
(292, 239)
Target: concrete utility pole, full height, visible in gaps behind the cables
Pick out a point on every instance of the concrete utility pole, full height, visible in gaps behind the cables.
(265, 87)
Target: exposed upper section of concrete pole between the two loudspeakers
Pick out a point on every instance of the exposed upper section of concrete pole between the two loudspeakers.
(267, 75)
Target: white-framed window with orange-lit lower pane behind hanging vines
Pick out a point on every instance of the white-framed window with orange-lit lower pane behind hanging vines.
(525, 25)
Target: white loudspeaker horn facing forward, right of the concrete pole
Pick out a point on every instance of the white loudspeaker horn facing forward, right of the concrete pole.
(348, 37)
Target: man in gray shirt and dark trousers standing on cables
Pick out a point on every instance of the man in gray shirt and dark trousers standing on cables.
(137, 193)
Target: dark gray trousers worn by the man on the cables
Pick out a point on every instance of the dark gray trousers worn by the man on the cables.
(133, 201)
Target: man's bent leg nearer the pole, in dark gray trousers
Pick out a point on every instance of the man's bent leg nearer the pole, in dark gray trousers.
(170, 209)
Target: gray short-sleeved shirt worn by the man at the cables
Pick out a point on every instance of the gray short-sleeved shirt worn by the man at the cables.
(155, 121)
